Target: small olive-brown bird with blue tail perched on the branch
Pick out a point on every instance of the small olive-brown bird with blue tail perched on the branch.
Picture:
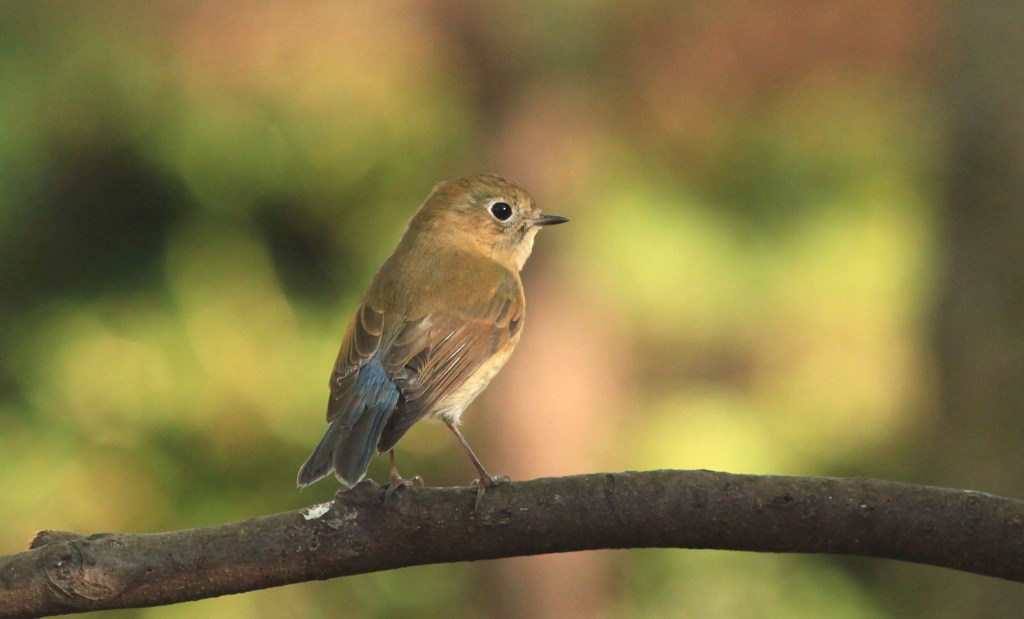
(440, 320)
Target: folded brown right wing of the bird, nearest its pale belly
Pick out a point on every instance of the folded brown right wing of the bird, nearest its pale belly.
(435, 356)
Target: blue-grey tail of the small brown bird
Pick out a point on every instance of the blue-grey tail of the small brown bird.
(353, 437)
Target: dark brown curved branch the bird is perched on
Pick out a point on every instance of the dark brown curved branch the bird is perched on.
(359, 533)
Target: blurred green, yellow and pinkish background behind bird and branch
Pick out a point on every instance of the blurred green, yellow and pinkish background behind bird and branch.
(796, 249)
